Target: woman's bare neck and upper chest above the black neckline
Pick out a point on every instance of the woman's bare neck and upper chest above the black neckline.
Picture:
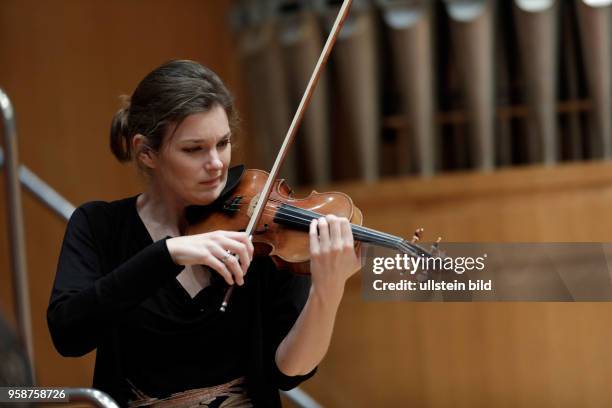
(162, 212)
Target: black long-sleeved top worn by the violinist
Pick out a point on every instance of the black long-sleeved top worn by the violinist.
(116, 291)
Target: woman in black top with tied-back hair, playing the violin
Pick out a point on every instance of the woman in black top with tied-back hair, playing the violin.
(131, 285)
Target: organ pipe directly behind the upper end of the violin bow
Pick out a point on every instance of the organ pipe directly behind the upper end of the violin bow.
(355, 61)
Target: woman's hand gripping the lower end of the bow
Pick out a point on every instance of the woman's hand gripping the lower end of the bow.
(215, 249)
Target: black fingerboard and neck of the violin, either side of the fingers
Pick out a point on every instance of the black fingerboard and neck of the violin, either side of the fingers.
(300, 218)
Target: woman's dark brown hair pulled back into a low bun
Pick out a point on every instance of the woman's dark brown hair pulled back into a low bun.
(166, 96)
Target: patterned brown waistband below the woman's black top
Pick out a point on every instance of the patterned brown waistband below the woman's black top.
(229, 395)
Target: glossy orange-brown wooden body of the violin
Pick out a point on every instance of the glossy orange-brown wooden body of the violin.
(282, 231)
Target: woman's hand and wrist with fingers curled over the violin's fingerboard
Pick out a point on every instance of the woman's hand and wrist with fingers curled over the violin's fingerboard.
(332, 256)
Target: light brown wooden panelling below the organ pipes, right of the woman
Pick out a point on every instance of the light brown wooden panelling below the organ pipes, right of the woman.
(387, 354)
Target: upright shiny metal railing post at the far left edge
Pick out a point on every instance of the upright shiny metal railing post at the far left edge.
(16, 233)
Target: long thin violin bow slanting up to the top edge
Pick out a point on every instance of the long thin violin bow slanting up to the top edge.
(297, 120)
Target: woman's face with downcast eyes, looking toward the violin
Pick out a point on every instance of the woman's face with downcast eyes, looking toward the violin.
(193, 162)
